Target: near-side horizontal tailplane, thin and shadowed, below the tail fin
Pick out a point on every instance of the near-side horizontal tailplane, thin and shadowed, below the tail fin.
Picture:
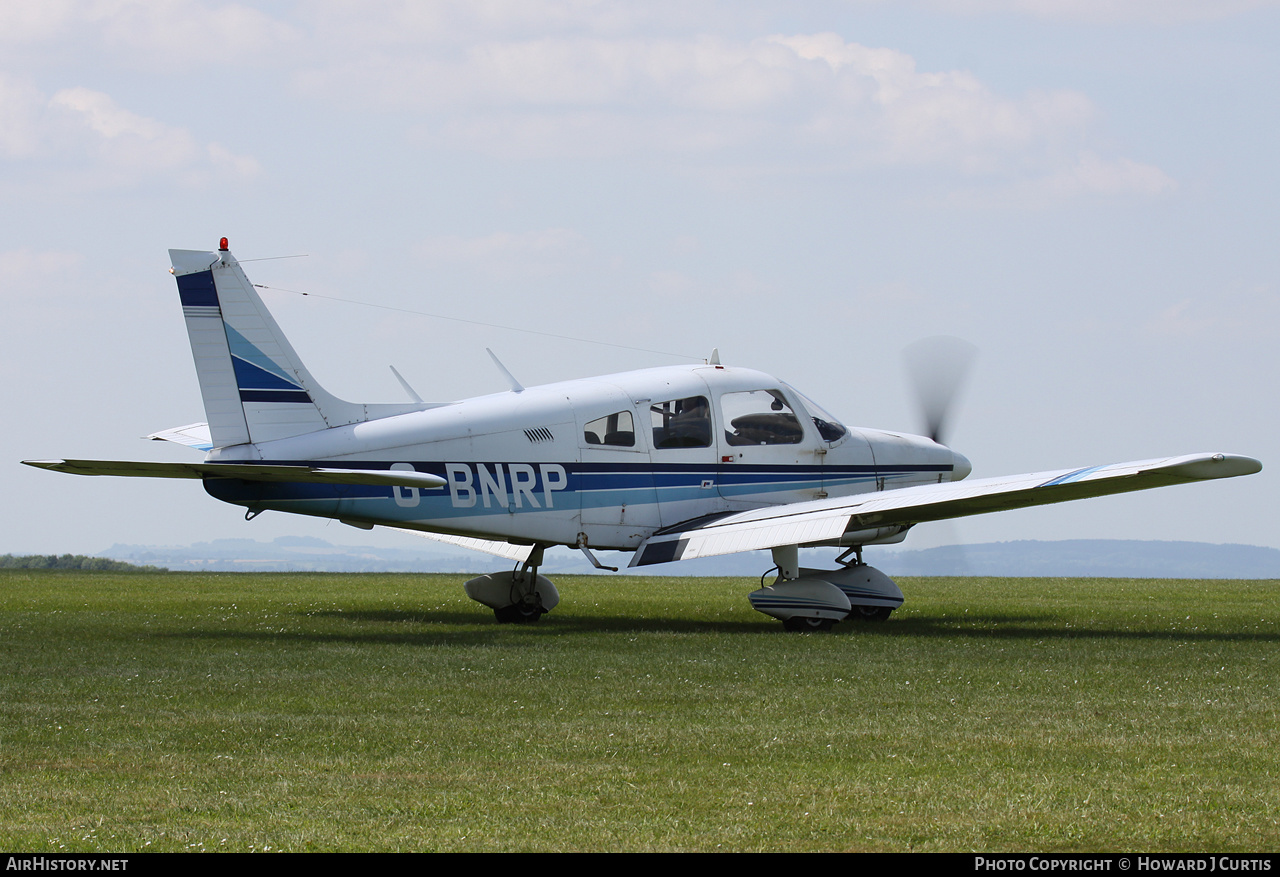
(244, 472)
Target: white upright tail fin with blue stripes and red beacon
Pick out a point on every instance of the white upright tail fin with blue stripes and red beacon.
(254, 385)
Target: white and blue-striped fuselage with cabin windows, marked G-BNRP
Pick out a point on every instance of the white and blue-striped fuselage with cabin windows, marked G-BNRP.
(604, 462)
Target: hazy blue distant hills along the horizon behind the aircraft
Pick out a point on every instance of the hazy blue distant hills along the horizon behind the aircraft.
(1067, 559)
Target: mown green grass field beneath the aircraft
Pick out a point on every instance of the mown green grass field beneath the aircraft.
(388, 712)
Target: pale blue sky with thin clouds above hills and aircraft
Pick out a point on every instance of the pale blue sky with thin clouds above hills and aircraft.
(1085, 190)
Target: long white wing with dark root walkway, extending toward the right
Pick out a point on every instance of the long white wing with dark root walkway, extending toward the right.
(830, 520)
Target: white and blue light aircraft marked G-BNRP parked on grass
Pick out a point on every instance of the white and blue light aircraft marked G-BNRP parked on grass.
(671, 464)
